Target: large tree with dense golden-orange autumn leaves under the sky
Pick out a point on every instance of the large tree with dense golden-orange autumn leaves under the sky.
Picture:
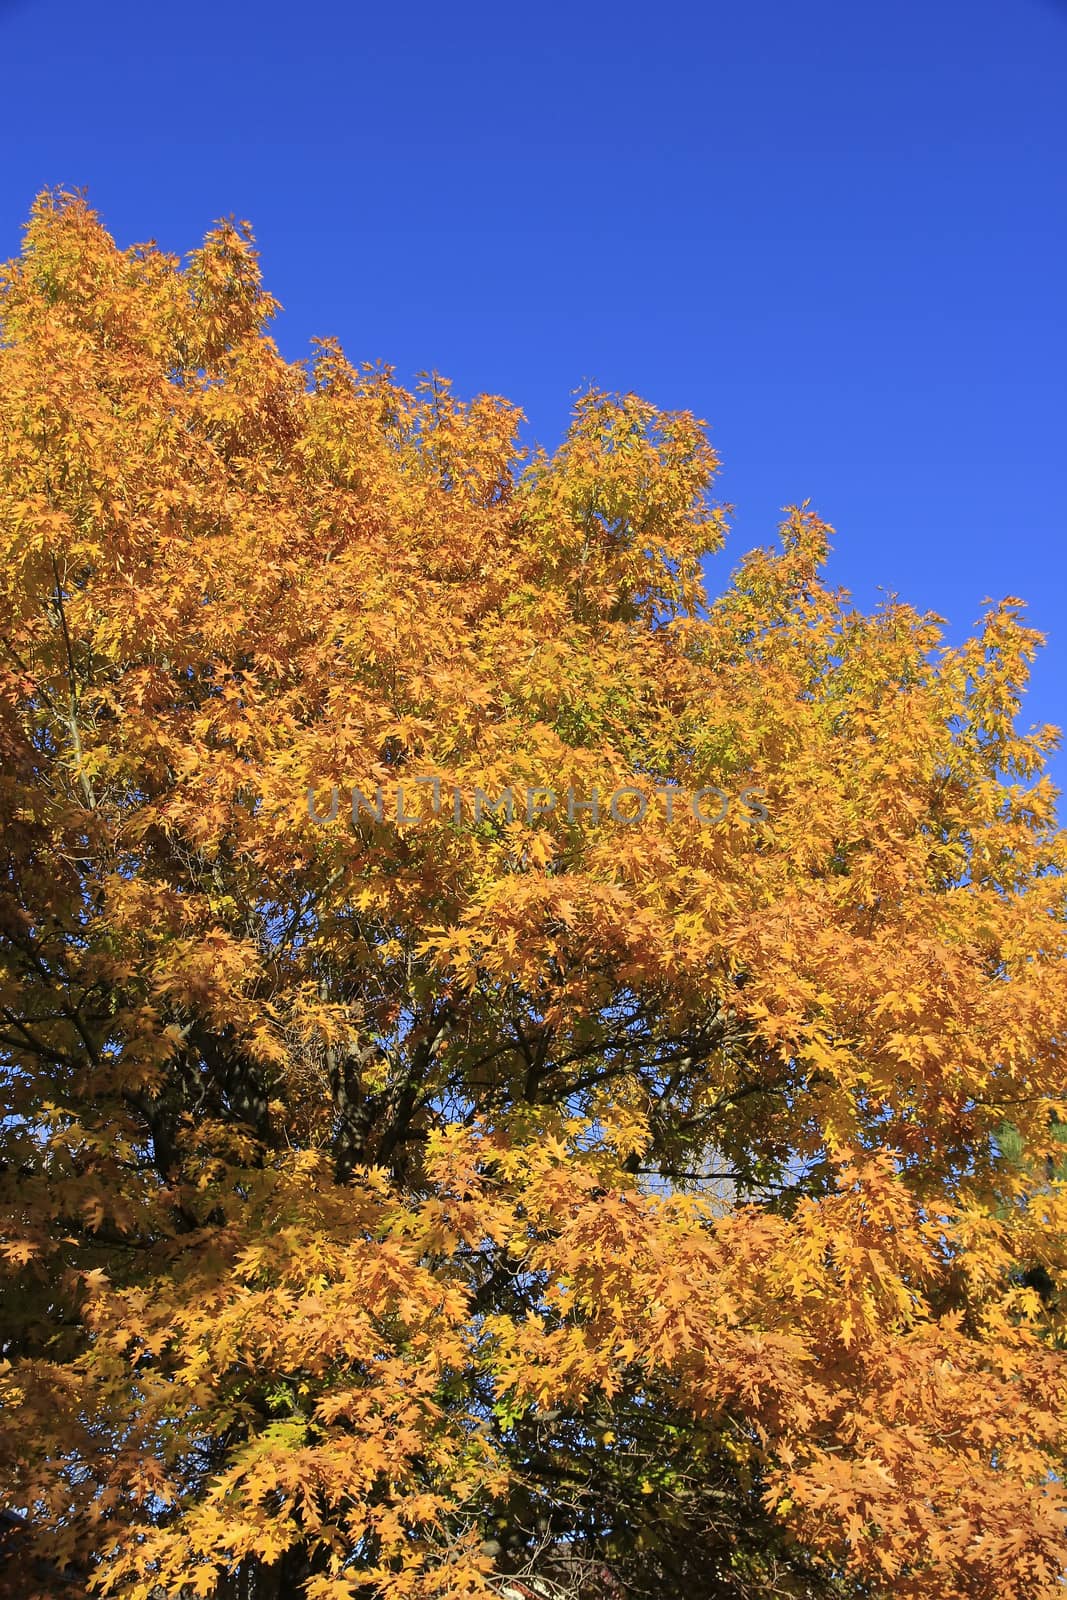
(645, 1209)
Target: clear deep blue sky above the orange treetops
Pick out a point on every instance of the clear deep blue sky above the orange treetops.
(837, 231)
